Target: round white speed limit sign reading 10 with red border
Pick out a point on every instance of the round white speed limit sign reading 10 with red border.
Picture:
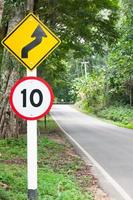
(31, 98)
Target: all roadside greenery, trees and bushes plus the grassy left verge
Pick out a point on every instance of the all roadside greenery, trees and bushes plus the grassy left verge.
(93, 67)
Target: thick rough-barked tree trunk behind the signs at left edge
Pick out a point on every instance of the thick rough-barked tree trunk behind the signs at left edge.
(10, 125)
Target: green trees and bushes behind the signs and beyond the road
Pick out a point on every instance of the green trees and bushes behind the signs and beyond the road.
(93, 67)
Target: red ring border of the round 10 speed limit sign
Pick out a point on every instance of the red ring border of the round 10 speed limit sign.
(31, 78)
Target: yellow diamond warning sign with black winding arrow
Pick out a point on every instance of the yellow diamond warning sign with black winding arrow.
(31, 41)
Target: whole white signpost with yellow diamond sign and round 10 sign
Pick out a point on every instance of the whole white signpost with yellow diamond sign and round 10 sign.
(31, 97)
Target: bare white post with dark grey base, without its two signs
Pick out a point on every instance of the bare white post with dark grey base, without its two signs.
(32, 153)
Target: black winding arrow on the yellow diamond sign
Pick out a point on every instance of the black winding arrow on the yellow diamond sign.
(38, 34)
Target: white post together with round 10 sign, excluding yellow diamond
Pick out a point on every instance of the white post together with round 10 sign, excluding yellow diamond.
(31, 98)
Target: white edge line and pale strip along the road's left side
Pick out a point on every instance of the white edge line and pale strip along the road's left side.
(114, 190)
